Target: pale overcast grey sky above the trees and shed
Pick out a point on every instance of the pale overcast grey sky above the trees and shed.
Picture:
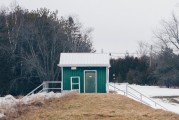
(118, 24)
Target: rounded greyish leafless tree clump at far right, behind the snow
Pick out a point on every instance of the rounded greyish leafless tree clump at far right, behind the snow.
(167, 70)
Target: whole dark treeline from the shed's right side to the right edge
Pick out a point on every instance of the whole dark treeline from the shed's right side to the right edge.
(162, 70)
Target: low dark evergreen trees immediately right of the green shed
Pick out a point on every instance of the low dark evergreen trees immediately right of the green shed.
(130, 69)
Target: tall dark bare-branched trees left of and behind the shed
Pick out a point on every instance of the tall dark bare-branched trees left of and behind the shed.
(30, 45)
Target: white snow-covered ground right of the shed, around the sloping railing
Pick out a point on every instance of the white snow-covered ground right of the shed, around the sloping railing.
(150, 92)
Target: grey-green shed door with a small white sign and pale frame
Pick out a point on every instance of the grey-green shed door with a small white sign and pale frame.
(90, 81)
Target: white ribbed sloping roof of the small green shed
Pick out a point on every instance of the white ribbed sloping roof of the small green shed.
(84, 59)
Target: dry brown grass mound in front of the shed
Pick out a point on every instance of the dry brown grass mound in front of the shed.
(93, 106)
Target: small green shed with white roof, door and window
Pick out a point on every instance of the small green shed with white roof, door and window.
(85, 72)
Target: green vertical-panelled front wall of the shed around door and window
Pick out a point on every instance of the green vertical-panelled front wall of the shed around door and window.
(101, 77)
